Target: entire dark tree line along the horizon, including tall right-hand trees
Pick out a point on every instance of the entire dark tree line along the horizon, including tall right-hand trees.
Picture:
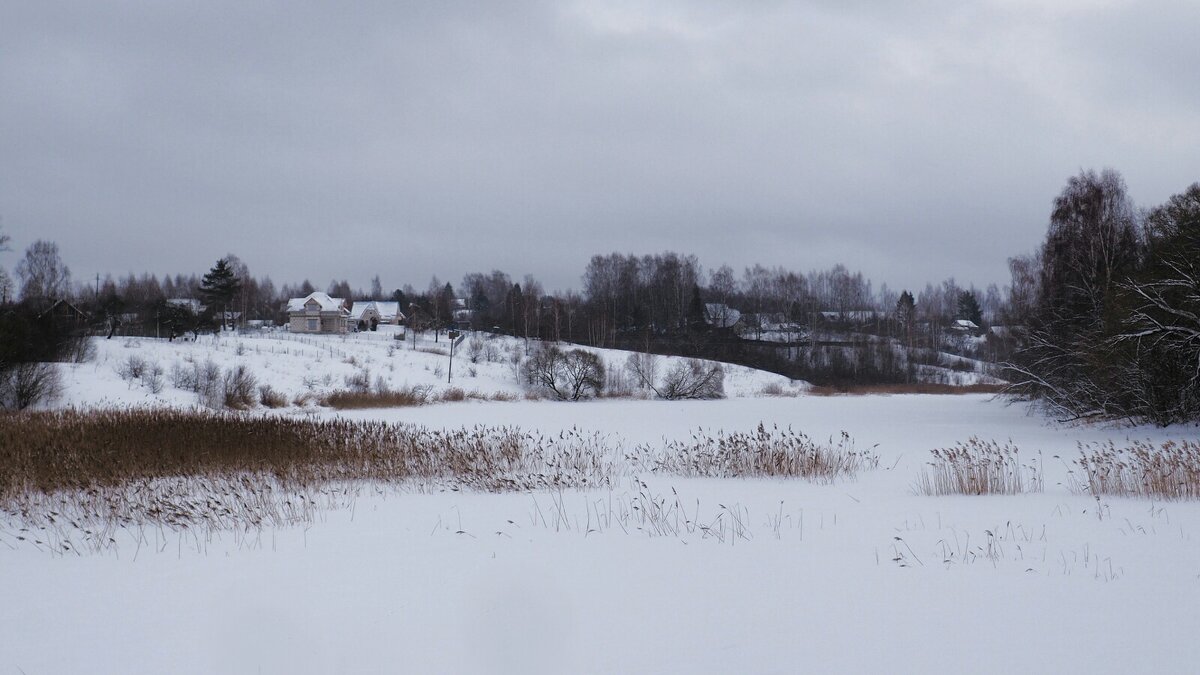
(1103, 320)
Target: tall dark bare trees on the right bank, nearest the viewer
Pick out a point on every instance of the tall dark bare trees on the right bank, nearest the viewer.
(1112, 307)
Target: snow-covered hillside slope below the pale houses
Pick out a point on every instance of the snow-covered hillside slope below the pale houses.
(320, 365)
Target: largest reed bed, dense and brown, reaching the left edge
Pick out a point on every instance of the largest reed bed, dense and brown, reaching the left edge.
(91, 474)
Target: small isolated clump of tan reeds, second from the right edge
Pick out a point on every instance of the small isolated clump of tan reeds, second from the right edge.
(980, 468)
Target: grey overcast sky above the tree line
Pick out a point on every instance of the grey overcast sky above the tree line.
(914, 141)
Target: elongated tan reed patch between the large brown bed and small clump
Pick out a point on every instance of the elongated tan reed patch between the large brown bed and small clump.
(760, 453)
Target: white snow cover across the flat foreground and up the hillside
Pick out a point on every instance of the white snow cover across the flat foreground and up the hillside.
(727, 576)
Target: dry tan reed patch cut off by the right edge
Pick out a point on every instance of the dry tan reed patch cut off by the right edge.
(1168, 471)
